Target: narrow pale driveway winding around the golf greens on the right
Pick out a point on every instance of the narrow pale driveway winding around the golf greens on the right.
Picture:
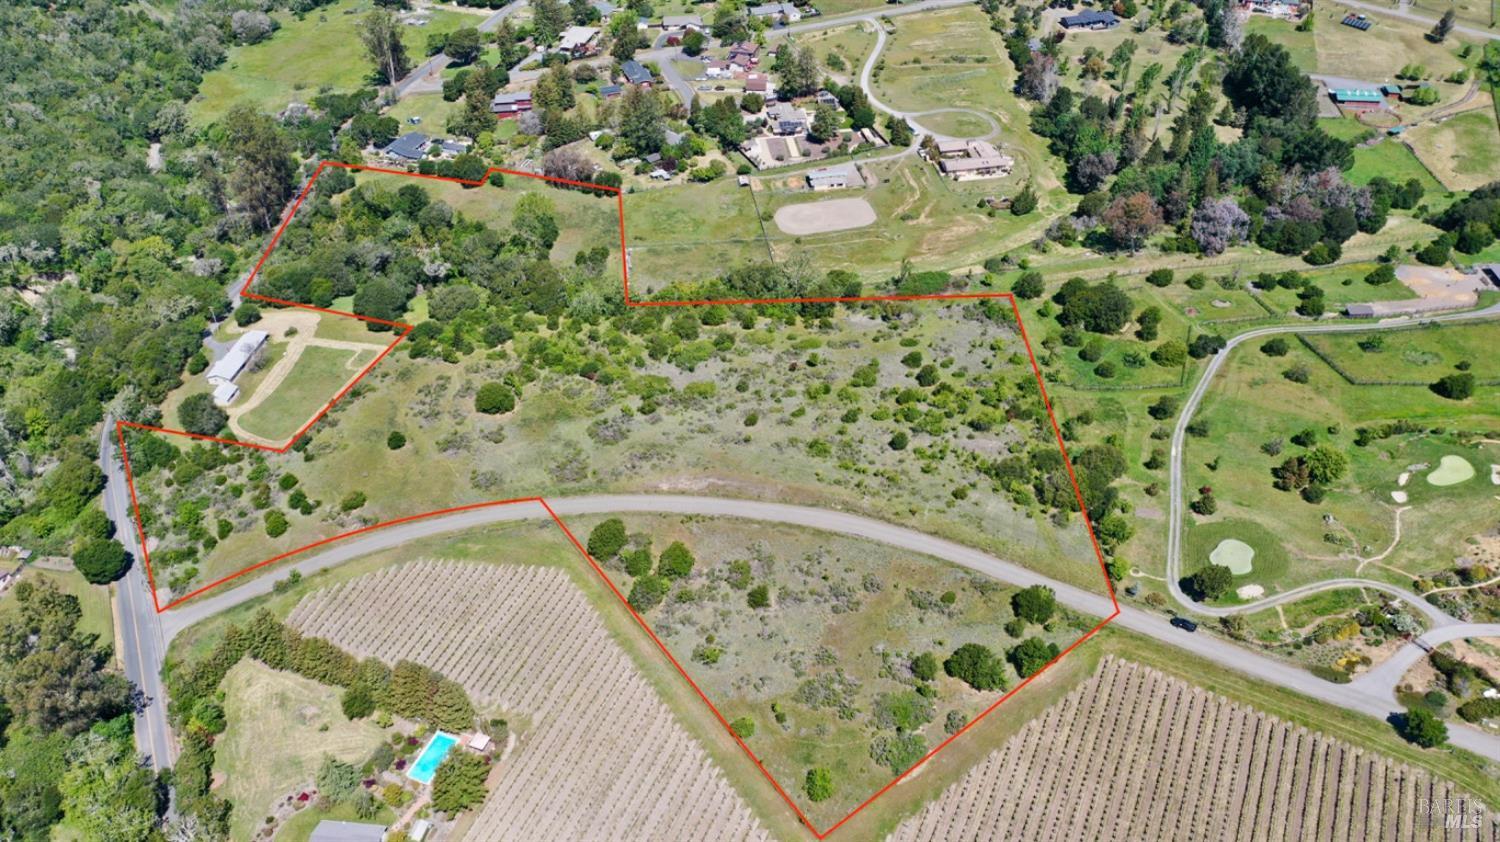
(1175, 514)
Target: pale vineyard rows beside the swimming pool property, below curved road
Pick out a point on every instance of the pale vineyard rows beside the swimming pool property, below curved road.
(602, 757)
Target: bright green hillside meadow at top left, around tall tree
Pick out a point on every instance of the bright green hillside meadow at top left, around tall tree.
(307, 56)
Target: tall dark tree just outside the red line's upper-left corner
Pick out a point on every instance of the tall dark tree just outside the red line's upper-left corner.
(265, 172)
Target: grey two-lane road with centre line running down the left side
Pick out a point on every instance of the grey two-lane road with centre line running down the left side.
(143, 648)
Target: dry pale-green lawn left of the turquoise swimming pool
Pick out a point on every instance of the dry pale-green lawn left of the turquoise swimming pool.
(280, 729)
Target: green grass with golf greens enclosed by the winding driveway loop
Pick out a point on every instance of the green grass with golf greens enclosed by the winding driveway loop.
(1255, 403)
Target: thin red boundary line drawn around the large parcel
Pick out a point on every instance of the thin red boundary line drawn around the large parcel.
(406, 331)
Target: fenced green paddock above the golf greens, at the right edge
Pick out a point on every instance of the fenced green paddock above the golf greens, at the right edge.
(1421, 355)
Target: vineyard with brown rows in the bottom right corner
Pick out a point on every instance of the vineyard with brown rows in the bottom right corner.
(1135, 754)
